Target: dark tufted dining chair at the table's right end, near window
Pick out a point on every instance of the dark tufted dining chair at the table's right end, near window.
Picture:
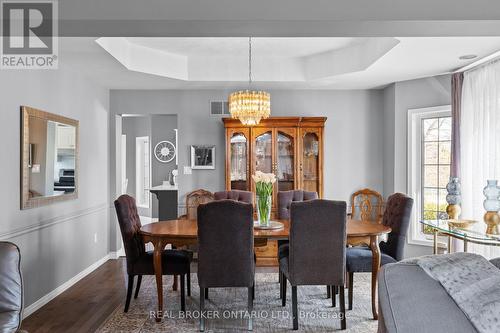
(397, 216)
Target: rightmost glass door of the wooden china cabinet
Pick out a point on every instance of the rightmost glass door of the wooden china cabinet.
(310, 161)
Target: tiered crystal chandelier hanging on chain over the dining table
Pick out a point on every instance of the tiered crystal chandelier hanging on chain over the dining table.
(250, 106)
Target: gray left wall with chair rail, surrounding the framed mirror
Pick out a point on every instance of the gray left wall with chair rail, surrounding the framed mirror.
(56, 241)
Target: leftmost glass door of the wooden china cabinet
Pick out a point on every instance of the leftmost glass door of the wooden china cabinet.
(238, 146)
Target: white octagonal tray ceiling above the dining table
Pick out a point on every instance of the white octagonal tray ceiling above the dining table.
(279, 63)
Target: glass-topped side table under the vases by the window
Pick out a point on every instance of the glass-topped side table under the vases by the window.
(475, 233)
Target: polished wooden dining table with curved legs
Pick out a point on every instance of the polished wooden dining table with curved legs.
(185, 232)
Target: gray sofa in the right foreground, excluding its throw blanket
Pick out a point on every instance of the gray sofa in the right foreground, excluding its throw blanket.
(411, 301)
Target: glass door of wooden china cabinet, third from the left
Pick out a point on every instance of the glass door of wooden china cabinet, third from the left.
(285, 164)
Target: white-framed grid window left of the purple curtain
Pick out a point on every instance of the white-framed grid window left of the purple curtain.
(429, 164)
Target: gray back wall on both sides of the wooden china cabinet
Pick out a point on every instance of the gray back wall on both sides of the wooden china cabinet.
(353, 132)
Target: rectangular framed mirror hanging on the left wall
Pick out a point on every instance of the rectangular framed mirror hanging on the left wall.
(49, 158)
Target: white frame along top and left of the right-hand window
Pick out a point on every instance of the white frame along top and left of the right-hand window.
(415, 117)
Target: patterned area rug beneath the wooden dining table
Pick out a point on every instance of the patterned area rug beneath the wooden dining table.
(316, 313)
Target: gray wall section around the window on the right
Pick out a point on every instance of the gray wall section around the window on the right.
(399, 98)
